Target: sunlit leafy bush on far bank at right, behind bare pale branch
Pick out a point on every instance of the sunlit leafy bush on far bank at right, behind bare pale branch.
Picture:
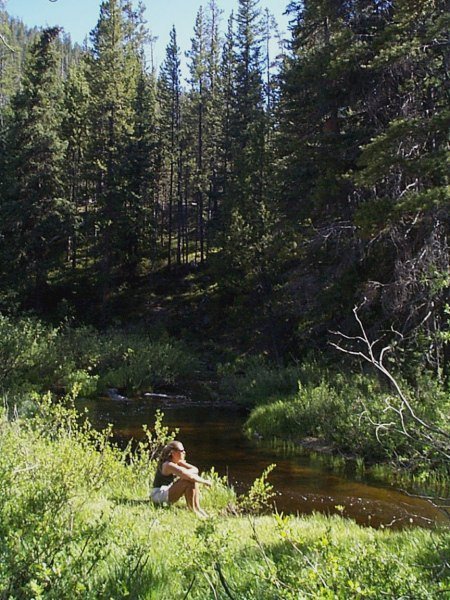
(344, 411)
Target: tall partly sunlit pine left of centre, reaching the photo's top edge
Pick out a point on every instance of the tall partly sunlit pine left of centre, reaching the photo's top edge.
(113, 73)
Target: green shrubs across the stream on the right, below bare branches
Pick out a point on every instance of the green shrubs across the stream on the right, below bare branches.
(343, 410)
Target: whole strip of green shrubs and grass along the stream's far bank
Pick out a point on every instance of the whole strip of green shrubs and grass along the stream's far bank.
(339, 407)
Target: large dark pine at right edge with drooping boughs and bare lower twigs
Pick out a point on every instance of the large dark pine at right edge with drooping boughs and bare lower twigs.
(402, 176)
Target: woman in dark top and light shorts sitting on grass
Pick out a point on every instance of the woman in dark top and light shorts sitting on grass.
(175, 478)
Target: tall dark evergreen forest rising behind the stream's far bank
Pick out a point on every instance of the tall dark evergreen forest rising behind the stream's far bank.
(282, 188)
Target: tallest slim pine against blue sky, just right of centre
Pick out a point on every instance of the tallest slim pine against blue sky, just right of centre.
(245, 211)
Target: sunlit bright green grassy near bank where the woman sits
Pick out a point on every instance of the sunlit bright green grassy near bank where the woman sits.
(75, 522)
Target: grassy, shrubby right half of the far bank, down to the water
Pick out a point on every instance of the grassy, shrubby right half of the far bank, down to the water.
(354, 414)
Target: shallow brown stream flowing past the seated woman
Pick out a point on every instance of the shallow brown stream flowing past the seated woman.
(213, 437)
